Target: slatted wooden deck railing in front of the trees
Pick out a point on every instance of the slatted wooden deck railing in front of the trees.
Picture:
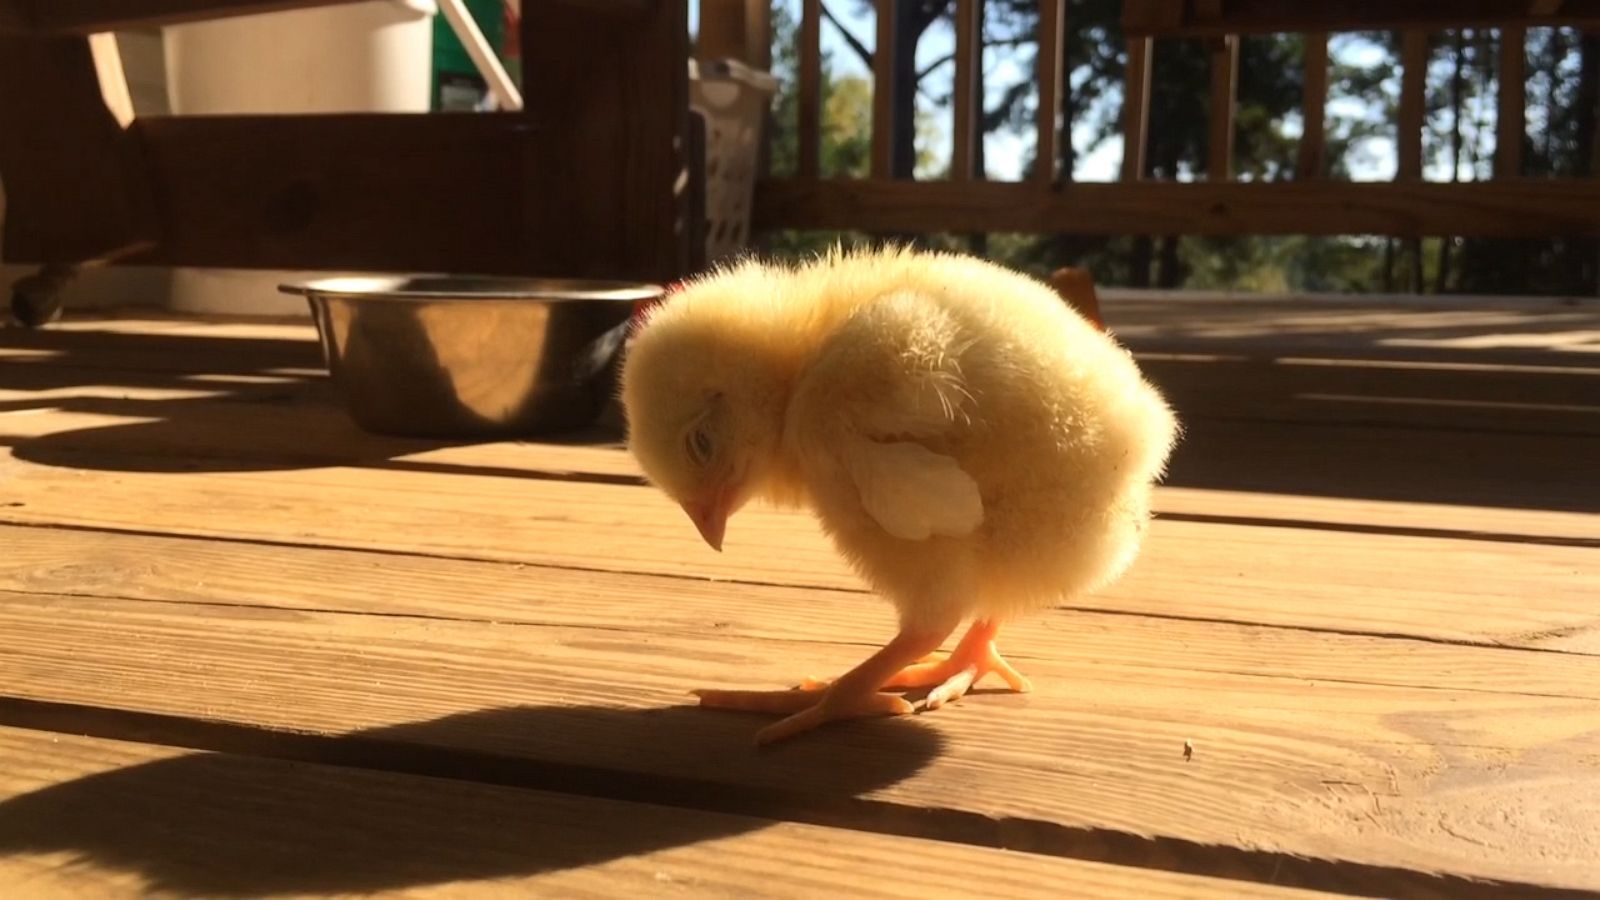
(1506, 206)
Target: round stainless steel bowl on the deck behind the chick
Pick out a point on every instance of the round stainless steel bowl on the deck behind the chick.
(441, 356)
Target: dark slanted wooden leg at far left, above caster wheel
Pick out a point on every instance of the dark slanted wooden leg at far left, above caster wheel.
(76, 185)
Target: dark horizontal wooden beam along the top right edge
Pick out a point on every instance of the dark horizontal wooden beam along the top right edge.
(1177, 18)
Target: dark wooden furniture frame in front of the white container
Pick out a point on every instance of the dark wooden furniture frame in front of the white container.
(590, 180)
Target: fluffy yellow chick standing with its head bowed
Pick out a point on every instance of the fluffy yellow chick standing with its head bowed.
(972, 444)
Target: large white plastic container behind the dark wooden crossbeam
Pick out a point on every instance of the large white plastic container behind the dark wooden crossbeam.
(372, 57)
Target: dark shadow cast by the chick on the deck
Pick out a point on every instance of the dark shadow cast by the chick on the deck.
(332, 816)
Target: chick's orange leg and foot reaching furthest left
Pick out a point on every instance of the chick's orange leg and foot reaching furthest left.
(854, 696)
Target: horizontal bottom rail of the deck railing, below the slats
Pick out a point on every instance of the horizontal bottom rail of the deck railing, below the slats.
(1526, 209)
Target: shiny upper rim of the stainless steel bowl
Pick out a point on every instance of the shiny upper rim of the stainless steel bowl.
(473, 287)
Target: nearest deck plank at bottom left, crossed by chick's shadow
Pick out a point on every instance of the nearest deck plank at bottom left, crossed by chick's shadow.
(215, 824)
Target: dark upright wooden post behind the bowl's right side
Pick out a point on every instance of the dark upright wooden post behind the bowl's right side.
(604, 193)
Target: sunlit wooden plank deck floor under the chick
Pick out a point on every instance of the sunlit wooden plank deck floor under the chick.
(247, 649)
